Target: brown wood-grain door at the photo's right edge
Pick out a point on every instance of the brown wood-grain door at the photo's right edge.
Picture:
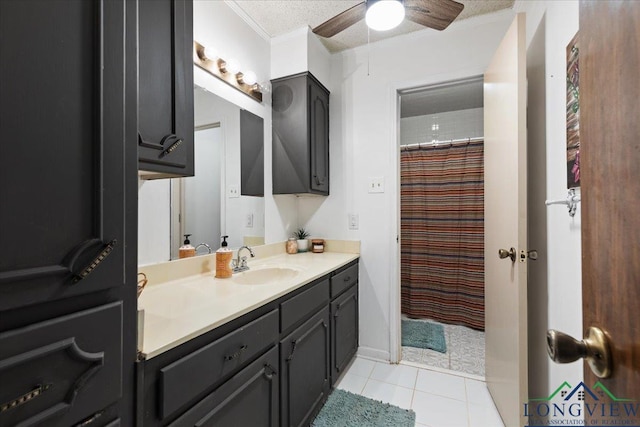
(609, 56)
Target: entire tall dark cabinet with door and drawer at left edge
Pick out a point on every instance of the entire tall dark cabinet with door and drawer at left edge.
(68, 218)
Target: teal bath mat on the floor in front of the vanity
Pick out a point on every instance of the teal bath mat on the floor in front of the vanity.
(344, 409)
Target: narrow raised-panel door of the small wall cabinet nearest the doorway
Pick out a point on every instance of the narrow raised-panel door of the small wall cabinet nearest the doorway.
(319, 137)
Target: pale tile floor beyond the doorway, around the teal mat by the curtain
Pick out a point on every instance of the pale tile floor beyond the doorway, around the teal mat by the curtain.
(465, 351)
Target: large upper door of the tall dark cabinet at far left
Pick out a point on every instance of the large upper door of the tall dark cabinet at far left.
(63, 128)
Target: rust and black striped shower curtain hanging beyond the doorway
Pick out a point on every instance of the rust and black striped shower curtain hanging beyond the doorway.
(442, 229)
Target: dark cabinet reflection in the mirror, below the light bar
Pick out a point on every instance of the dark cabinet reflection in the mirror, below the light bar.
(251, 154)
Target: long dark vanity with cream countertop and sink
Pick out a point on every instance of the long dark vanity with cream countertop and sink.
(262, 348)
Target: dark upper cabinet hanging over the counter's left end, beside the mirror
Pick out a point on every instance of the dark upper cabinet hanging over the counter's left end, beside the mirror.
(165, 88)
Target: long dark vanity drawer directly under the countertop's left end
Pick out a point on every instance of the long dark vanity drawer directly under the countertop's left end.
(186, 378)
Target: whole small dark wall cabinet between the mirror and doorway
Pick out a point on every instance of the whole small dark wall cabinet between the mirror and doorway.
(300, 135)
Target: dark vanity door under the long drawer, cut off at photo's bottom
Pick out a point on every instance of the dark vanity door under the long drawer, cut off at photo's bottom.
(248, 399)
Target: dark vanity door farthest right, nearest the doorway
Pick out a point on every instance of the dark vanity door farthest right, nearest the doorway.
(344, 331)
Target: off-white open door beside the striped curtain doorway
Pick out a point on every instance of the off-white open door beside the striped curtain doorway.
(506, 224)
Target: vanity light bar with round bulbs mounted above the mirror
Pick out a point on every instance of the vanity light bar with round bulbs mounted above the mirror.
(227, 71)
